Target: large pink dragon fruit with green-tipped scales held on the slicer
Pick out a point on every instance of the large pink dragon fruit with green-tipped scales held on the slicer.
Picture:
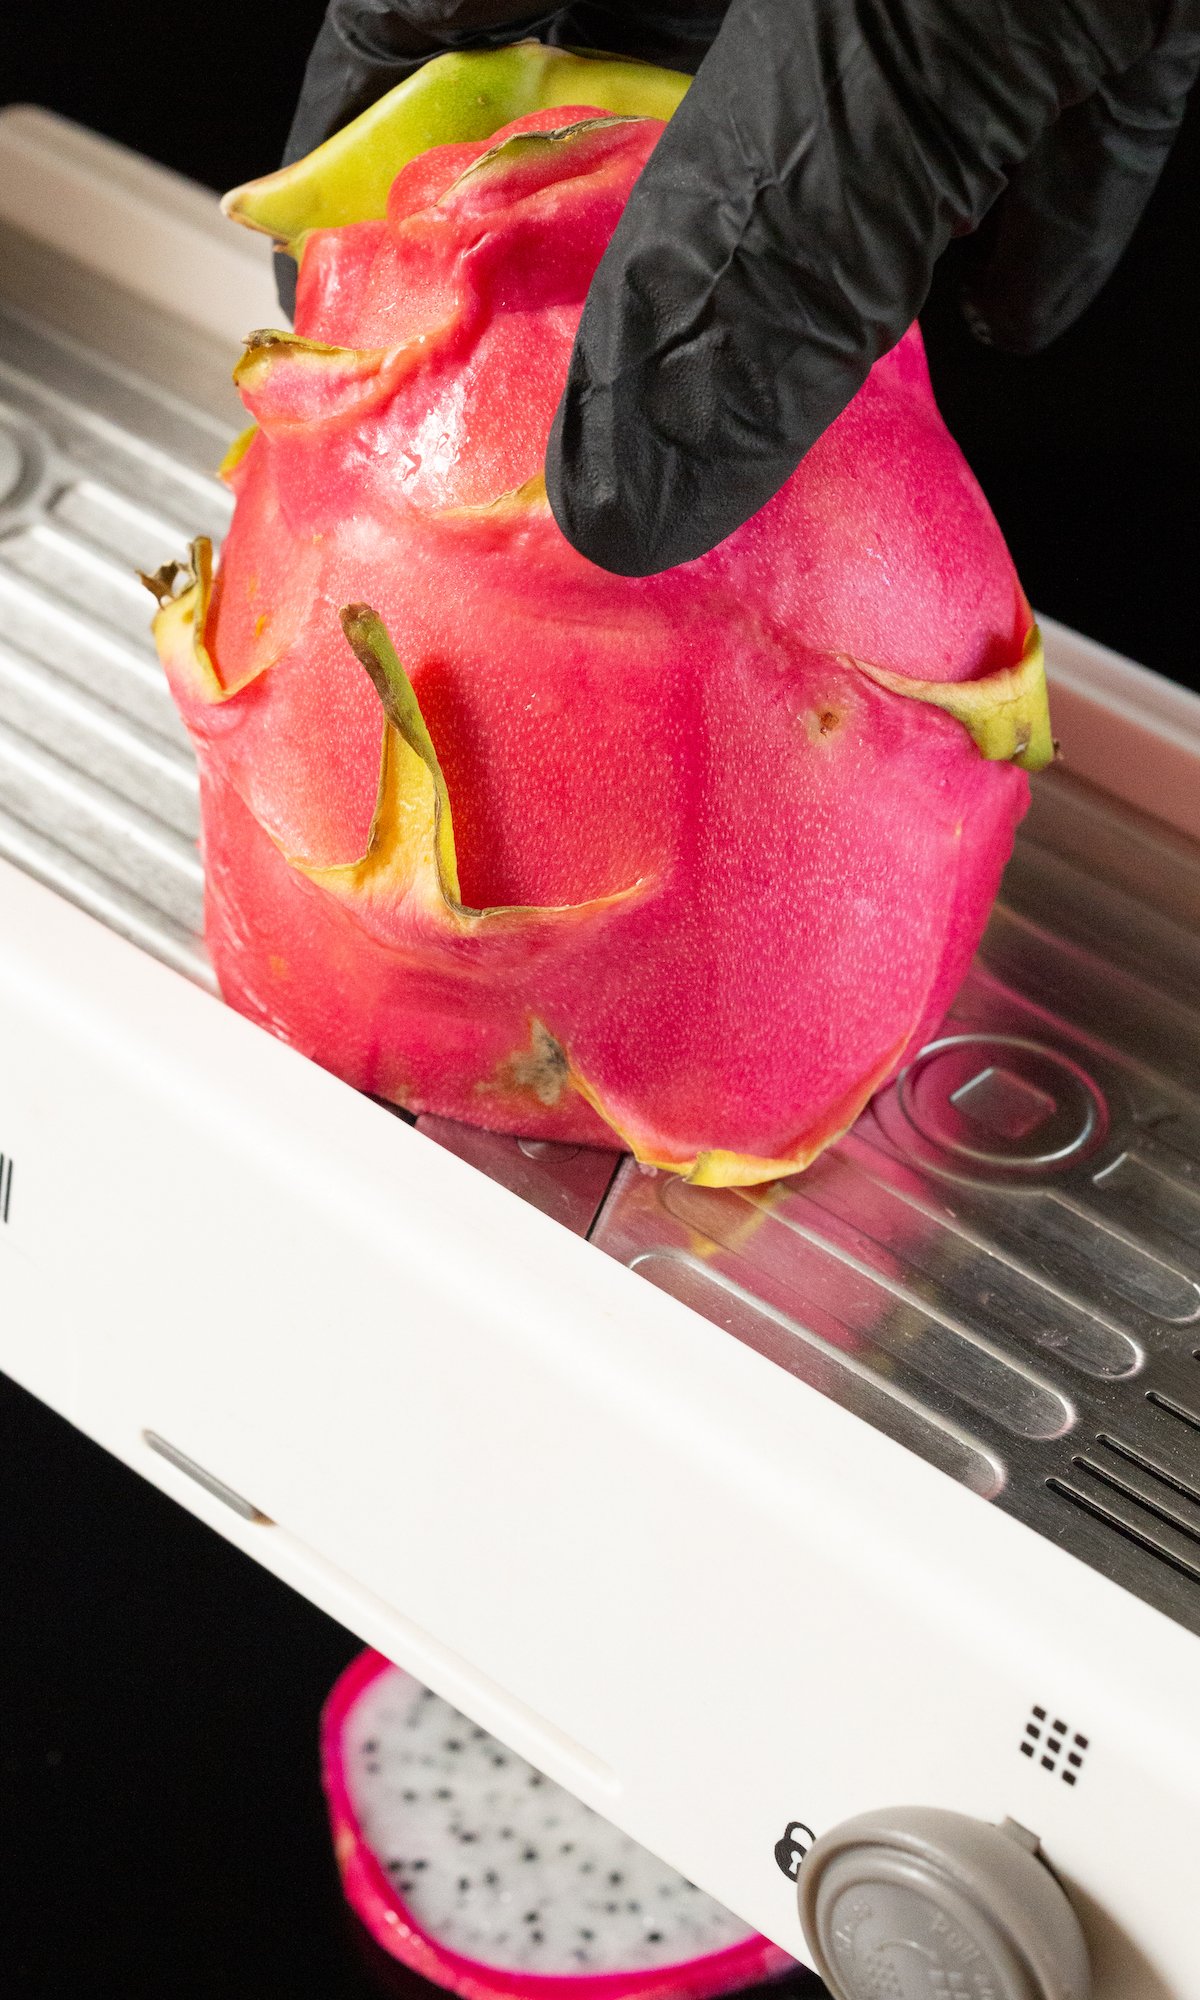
(685, 863)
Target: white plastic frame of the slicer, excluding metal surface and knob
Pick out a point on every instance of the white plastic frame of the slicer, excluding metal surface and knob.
(681, 1581)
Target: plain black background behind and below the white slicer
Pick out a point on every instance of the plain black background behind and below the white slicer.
(161, 1825)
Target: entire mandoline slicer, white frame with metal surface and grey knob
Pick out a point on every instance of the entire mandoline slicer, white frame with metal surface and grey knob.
(739, 1513)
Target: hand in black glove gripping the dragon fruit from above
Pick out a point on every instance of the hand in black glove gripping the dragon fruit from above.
(787, 225)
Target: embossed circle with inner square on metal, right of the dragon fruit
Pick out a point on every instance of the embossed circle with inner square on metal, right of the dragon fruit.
(997, 1105)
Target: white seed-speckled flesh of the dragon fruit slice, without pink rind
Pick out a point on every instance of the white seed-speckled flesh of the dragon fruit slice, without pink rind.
(499, 1863)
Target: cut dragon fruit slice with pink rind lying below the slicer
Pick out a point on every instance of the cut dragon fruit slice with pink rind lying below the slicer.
(487, 1877)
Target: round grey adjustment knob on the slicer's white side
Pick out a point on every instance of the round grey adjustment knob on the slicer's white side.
(925, 1905)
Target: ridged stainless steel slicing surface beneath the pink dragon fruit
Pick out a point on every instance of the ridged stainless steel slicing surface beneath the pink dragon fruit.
(999, 1267)
